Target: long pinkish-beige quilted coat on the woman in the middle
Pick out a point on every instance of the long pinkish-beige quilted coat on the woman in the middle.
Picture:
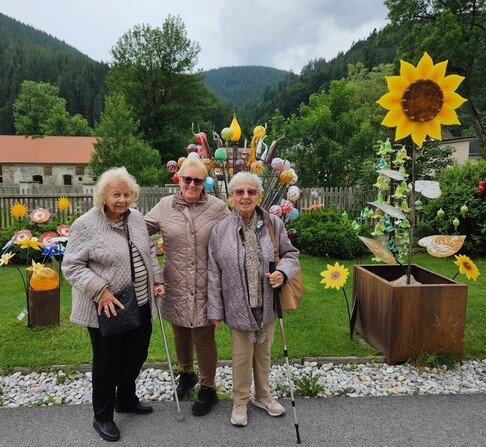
(185, 229)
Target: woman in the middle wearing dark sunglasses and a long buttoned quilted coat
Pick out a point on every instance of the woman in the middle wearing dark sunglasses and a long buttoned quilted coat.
(185, 220)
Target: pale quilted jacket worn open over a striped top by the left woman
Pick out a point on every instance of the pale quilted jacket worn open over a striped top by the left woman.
(97, 256)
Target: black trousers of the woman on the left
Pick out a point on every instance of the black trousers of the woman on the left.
(117, 361)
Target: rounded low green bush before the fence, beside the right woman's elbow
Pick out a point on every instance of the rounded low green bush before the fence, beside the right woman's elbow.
(326, 233)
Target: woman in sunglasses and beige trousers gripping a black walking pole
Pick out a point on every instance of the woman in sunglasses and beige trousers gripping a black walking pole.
(240, 290)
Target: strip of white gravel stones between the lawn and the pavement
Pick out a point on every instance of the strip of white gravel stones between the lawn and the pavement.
(326, 380)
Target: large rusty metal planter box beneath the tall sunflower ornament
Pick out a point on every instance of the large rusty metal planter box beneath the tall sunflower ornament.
(405, 321)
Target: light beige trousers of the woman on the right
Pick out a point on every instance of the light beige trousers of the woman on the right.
(247, 358)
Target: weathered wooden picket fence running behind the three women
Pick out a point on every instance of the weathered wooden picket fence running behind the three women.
(342, 199)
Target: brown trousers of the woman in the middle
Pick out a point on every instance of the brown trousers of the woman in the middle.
(185, 339)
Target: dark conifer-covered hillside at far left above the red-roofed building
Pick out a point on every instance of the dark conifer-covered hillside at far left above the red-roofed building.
(30, 54)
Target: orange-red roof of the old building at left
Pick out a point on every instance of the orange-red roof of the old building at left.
(56, 150)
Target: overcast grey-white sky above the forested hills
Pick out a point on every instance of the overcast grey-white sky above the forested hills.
(284, 34)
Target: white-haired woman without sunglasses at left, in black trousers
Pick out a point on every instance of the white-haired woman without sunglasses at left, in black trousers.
(97, 264)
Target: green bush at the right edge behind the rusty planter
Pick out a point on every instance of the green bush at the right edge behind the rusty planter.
(459, 186)
